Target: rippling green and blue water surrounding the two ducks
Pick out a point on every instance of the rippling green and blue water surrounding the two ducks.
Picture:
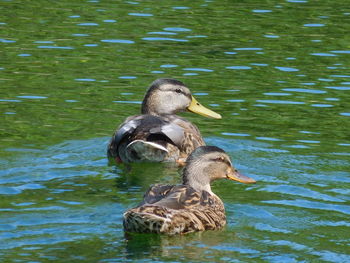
(278, 73)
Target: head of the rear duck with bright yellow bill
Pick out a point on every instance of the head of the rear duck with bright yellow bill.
(169, 96)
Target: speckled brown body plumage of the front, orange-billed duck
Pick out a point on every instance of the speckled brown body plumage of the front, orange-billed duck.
(182, 211)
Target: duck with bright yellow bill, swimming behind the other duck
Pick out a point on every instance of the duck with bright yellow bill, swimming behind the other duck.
(159, 134)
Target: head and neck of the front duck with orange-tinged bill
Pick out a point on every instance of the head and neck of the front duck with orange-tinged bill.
(208, 163)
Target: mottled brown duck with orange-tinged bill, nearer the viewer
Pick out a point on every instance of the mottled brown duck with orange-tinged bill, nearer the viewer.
(191, 206)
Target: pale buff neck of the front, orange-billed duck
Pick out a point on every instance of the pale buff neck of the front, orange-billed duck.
(193, 176)
